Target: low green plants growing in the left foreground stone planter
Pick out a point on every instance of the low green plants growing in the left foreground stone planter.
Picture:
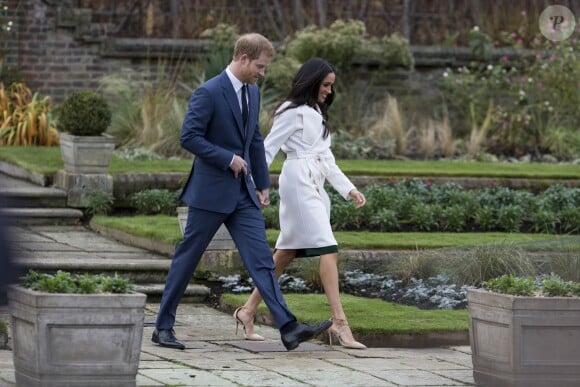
(64, 282)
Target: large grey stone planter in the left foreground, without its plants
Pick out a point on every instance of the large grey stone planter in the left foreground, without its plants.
(76, 339)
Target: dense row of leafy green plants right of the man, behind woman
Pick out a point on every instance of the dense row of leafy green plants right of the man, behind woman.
(416, 205)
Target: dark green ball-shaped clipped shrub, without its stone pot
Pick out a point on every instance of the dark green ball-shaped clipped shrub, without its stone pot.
(84, 113)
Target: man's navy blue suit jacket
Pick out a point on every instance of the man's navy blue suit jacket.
(213, 131)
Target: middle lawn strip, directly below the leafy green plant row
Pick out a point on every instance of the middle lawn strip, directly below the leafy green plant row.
(165, 229)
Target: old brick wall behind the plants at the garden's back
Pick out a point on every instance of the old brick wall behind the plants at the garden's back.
(57, 50)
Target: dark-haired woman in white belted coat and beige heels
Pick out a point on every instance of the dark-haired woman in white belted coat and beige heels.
(302, 132)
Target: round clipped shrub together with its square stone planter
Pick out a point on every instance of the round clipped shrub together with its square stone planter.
(83, 118)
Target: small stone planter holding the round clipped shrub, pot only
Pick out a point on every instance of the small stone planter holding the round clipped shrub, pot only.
(86, 154)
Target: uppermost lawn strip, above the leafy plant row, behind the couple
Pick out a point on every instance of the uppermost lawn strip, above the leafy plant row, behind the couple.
(47, 160)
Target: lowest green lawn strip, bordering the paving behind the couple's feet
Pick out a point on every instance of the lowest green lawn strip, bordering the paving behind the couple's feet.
(368, 315)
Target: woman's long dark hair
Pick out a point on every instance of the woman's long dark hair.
(306, 85)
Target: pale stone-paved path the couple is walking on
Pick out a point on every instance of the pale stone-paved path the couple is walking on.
(216, 356)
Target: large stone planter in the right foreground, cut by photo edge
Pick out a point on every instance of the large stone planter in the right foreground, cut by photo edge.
(524, 341)
